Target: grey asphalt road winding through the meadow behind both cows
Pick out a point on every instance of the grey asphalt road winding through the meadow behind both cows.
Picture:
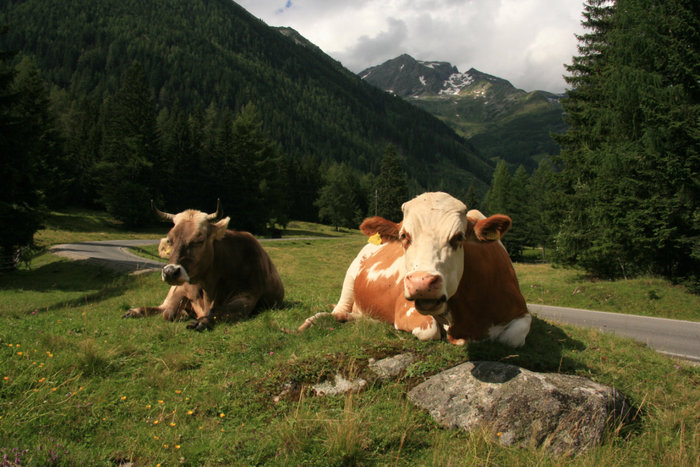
(676, 338)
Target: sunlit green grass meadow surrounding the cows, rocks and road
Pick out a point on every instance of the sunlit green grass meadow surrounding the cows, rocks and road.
(79, 385)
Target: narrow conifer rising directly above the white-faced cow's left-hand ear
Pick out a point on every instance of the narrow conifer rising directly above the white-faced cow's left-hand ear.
(392, 186)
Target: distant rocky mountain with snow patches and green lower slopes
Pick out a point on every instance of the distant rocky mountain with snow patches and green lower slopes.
(500, 120)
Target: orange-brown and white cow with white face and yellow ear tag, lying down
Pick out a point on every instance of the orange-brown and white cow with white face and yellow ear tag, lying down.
(441, 269)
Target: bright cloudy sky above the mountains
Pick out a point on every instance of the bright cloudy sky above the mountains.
(524, 41)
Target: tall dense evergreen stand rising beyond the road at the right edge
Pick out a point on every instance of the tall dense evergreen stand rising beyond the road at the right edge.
(631, 154)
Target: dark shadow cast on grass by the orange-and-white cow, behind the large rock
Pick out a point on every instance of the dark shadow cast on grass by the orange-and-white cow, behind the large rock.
(543, 350)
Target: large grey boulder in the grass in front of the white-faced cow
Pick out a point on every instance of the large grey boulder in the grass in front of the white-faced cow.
(566, 414)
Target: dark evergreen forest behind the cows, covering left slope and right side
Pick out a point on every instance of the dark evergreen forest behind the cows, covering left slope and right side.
(111, 104)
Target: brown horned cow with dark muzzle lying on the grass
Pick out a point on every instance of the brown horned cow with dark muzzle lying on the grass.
(214, 272)
